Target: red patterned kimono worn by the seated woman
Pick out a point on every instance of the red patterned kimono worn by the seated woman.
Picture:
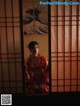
(37, 75)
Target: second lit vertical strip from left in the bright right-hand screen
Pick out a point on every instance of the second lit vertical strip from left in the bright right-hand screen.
(61, 45)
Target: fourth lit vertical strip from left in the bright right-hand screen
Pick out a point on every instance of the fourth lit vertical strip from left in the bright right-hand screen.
(74, 48)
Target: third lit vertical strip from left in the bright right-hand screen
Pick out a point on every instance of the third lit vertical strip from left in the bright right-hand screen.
(67, 48)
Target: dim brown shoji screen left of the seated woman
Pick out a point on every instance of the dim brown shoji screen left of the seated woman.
(10, 47)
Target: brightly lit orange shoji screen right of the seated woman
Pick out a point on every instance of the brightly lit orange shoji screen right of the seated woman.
(65, 47)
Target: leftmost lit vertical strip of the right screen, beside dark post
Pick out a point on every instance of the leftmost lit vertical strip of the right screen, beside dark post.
(54, 47)
